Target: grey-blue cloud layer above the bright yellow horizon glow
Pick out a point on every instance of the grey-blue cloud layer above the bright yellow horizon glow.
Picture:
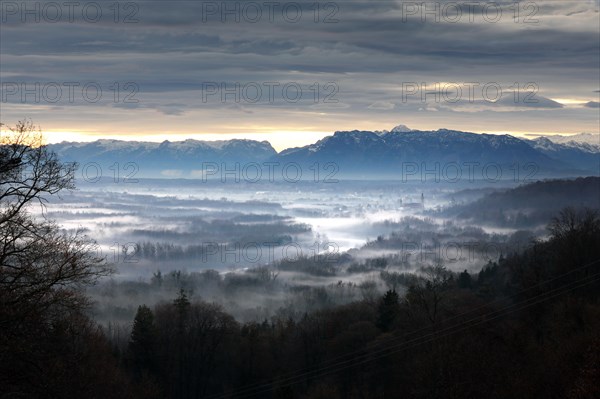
(369, 50)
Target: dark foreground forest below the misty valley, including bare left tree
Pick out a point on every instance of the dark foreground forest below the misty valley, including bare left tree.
(526, 325)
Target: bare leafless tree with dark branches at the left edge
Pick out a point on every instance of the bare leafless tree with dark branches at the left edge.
(41, 268)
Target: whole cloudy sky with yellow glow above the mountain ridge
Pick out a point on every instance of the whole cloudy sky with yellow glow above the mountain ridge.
(292, 72)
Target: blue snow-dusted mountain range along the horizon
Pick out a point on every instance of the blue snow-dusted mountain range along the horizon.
(368, 154)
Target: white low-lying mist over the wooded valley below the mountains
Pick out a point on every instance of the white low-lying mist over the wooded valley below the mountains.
(277, 249)
